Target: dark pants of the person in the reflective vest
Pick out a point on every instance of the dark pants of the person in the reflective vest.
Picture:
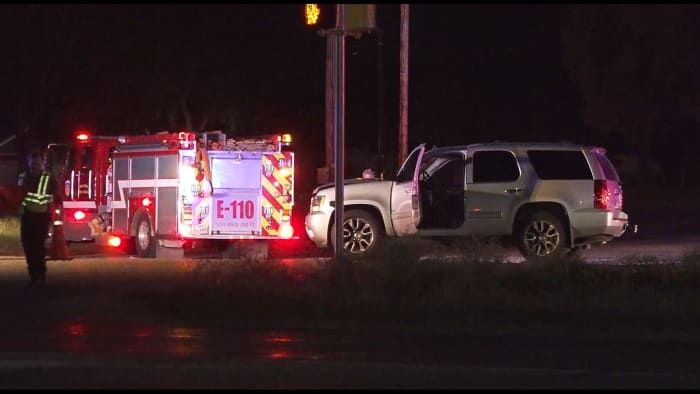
(34, 230)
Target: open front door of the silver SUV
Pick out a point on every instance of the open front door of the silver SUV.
(405, 195)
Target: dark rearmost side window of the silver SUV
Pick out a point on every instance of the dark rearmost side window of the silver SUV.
(560, 164)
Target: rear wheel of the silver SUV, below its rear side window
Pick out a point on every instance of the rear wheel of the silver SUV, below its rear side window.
(542, 237)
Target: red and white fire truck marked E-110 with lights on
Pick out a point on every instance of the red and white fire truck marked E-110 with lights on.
(158, 193)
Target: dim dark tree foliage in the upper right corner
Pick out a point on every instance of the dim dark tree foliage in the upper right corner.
(637, 70)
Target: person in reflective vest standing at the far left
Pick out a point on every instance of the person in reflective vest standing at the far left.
(40, 190)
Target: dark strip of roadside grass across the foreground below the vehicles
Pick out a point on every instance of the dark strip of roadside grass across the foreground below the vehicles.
(642, 295)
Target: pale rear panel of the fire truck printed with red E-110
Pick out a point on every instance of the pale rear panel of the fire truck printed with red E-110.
(236, 200)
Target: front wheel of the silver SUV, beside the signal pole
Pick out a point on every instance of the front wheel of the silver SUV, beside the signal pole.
(361, 234)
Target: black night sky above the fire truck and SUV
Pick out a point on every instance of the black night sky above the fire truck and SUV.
(476, 72)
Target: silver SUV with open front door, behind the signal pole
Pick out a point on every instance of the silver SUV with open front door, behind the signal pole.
(552, 198)
